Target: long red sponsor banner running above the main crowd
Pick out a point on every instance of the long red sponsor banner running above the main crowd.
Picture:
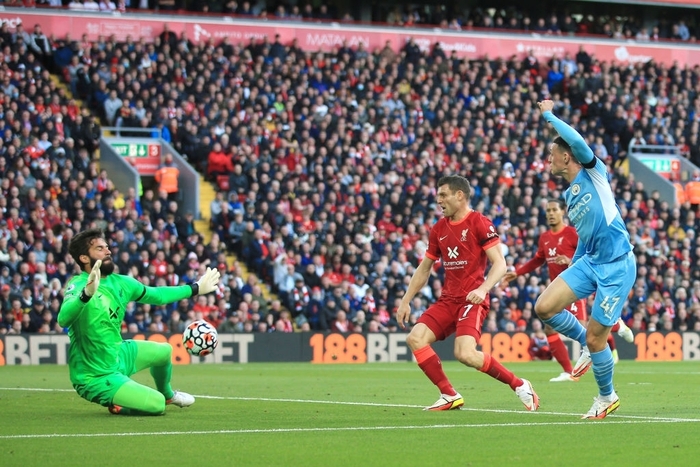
(325, 37)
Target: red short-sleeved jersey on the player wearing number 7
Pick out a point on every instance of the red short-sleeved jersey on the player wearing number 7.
(461, 246)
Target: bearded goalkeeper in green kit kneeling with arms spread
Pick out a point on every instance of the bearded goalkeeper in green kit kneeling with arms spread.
(100, 362)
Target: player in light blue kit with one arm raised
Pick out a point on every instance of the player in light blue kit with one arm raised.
(603, 262)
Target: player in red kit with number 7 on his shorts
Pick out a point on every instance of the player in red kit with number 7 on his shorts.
(463, 239)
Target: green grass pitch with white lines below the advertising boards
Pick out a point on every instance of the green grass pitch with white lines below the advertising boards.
(295, 428)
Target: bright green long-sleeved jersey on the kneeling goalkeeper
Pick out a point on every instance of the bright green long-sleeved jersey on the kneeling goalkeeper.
(95, 326)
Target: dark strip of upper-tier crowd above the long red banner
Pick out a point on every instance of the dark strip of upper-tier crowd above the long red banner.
(612, 21)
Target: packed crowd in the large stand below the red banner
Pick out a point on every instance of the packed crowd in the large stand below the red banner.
(326, 165)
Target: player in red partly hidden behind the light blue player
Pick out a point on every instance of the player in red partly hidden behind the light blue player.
(556, 247)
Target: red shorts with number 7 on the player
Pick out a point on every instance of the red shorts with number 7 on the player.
(445, 318)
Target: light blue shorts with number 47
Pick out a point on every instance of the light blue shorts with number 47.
(611, 282)
